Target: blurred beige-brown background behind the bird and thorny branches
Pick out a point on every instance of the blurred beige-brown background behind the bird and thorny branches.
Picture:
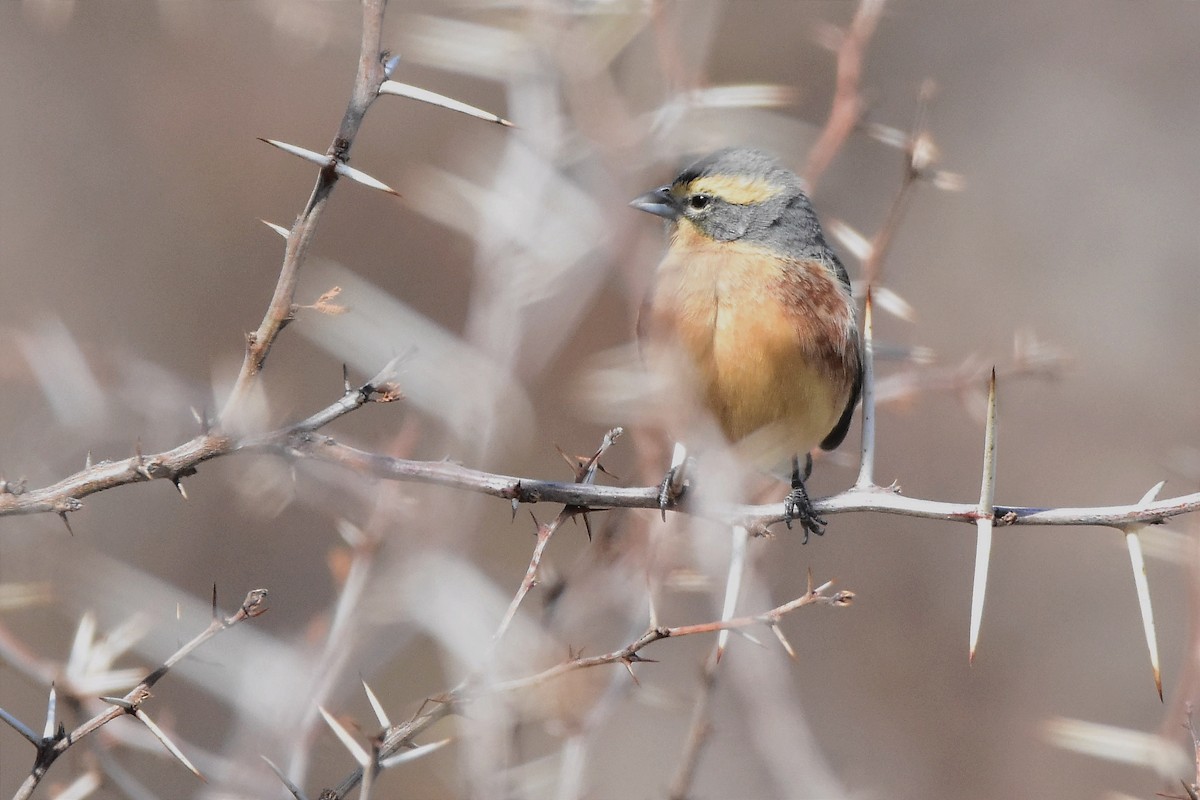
(133, 262)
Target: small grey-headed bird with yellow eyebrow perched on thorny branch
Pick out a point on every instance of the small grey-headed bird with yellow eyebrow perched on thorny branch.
(758, 308)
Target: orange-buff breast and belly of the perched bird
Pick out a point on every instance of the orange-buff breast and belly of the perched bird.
(766, 339)
